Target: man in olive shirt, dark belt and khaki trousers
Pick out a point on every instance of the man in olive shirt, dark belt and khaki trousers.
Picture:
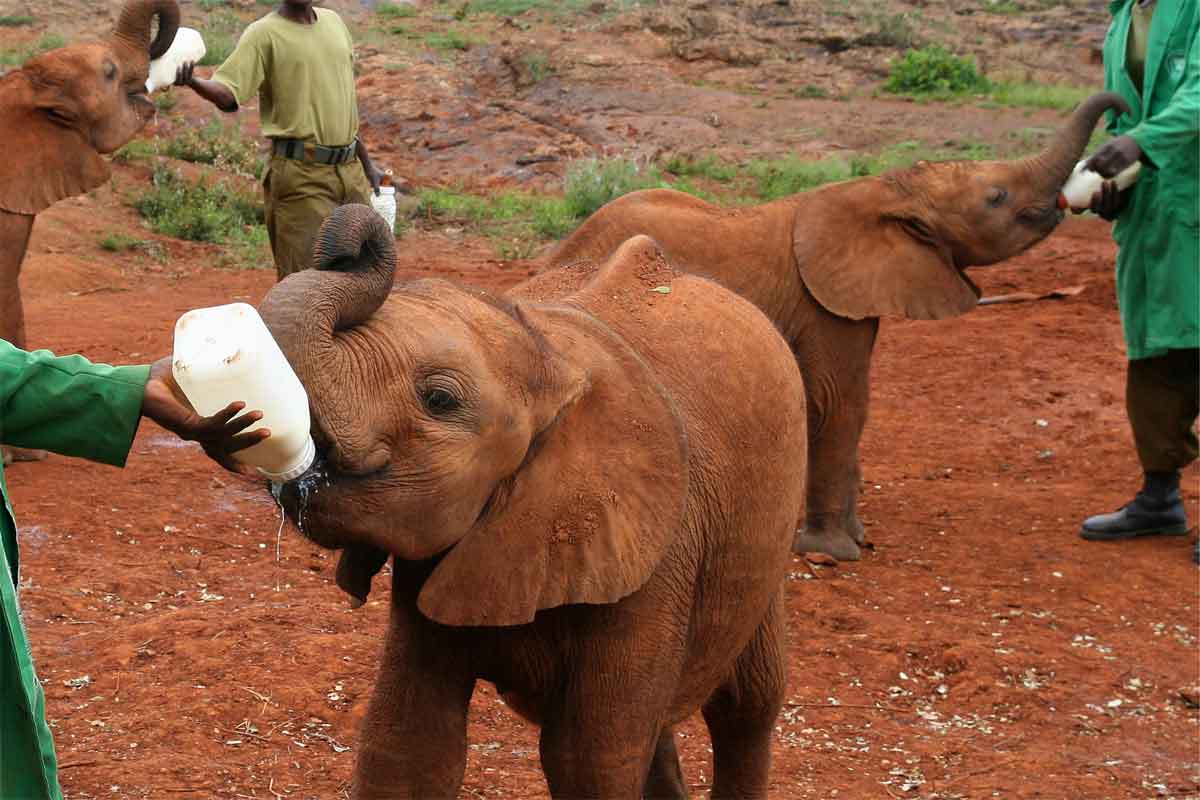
(299, 62)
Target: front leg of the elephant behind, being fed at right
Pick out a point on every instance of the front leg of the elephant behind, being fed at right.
(836, 364)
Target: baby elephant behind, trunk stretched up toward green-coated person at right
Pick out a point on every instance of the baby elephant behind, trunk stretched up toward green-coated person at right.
(826, 264)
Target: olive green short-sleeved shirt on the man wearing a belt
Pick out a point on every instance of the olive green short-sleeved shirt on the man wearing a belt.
(303, 75)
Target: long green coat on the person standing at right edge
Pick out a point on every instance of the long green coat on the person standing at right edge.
(1159, 234)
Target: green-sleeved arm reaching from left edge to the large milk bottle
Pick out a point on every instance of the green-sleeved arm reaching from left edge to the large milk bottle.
(77, 408)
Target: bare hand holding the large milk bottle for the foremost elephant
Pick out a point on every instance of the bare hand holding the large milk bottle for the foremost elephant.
(221, 436)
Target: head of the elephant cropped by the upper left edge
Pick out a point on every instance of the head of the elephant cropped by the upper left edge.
(64, 109)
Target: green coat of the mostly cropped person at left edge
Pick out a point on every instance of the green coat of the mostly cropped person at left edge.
(74, 408)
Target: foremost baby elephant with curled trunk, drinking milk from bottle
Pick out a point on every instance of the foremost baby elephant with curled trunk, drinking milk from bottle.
(589, 489)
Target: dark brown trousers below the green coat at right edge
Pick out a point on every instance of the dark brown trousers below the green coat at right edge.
(1163, 400)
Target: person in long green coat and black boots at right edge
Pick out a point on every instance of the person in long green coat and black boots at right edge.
(1153, 59)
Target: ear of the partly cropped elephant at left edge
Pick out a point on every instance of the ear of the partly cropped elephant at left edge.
(49, 163)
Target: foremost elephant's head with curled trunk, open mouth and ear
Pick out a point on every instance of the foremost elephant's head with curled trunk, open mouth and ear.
(490, 438)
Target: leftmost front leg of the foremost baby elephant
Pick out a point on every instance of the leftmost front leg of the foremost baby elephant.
(413, 743)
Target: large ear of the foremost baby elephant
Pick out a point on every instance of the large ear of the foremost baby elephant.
(597, 503)
